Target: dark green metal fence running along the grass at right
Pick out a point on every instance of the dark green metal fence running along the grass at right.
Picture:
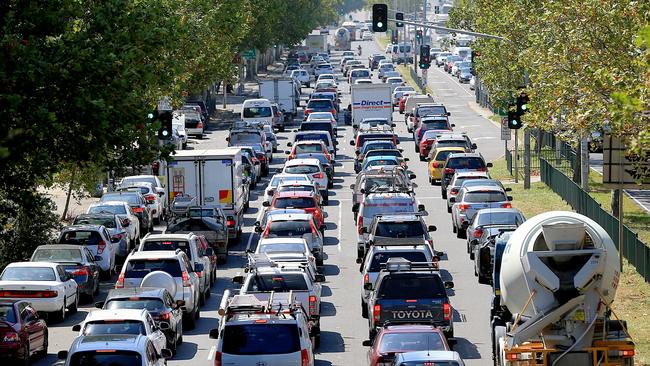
(634, 250)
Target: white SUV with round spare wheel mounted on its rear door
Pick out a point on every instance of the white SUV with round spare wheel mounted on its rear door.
(172, 270)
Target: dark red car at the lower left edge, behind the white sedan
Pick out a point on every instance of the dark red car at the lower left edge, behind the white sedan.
(22, 331)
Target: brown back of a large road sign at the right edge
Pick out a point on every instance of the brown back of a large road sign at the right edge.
(620, 169)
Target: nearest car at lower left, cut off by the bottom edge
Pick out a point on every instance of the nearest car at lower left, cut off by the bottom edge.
(123, 349)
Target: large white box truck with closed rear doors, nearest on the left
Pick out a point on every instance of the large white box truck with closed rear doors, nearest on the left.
(213, 178)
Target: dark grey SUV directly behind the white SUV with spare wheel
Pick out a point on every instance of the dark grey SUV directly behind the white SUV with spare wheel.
(157, 301)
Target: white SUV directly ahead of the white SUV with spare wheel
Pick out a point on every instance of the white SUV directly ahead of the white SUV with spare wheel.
(191, 245)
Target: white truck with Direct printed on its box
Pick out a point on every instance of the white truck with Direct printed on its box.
(371, 101)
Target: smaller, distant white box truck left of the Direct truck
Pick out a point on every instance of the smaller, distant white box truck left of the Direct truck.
(281, 90)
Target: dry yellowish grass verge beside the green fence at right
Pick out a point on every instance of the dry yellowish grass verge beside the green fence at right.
(633, 294)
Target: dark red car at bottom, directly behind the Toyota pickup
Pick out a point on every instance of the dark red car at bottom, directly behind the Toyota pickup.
(394, 339)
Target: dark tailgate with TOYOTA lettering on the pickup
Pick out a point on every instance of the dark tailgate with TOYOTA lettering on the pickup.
(412, 310)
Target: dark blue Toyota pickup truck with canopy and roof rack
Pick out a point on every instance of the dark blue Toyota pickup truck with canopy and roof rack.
(409, 293)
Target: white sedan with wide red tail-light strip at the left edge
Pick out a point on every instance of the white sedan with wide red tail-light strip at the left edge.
(47, 286)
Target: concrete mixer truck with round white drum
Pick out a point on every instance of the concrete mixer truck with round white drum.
(557, 277)
